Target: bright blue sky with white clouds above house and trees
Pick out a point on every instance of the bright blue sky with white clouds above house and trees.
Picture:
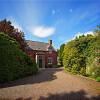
(59, 20)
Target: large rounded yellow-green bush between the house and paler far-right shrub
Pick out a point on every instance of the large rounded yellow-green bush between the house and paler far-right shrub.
(77, 52)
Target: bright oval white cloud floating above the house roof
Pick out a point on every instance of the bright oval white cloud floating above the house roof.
(42, 31)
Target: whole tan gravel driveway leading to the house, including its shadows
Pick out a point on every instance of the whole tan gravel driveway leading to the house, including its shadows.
(51, 84)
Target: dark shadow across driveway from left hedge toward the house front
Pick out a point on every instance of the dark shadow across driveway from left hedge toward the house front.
(44, 75)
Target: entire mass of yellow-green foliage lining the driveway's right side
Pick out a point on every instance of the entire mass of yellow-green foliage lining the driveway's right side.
(82, 55)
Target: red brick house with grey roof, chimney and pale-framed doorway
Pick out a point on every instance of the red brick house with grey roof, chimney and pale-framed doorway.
(43, 53)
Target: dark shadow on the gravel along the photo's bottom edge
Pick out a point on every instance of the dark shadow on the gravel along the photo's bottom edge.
(79, 95)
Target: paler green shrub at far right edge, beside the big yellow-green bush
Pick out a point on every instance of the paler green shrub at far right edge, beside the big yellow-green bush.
(93, 68)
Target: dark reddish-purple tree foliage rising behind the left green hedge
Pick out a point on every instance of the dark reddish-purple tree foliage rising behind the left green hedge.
(7, 28)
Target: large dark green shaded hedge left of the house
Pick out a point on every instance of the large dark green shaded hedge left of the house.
(14, 63)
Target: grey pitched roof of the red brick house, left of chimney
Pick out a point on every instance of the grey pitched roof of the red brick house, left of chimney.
(35, 45)
